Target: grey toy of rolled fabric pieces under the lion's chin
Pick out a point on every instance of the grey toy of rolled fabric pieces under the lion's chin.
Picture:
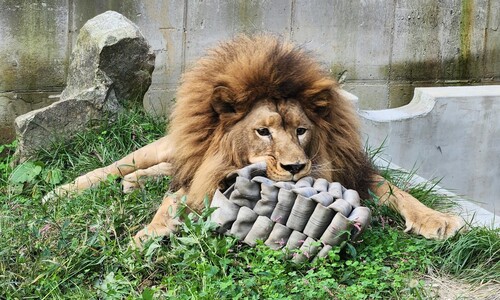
(289, 215)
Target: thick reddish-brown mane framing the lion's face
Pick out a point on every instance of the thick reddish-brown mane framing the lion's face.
(253, 68)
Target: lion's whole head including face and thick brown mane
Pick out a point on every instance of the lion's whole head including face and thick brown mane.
(260, 99)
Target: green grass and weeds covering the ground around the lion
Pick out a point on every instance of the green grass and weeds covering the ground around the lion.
(80, 247)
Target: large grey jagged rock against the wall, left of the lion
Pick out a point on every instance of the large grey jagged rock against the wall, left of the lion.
(111, 64)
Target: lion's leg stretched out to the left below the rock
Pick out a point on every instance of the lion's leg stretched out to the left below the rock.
(152, 154)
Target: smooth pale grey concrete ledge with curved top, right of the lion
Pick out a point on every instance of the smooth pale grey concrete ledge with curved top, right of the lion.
(447, 133)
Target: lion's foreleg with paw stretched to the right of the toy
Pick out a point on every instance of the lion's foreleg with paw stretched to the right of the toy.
(419, 218)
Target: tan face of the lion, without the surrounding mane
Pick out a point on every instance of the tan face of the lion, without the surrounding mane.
(277, 132)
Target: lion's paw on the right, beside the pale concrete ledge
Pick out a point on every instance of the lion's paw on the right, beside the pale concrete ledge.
(434, 224)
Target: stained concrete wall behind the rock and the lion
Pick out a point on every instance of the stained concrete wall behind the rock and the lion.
(382, 49)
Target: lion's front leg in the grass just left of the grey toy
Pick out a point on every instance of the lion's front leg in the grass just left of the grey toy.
(164, 222)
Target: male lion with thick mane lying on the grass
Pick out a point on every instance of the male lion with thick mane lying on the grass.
(260, 99)
